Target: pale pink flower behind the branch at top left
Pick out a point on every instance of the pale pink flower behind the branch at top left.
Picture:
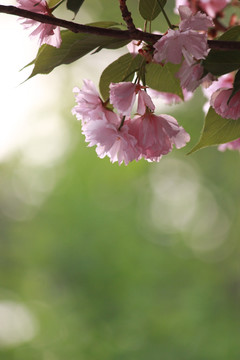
(46, 33)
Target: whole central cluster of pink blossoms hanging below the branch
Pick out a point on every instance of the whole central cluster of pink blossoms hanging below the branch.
(118, 135)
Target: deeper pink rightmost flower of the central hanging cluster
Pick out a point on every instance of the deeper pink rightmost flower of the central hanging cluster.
(156, 135)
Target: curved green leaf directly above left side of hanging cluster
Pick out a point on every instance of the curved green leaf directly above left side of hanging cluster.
(122, 69)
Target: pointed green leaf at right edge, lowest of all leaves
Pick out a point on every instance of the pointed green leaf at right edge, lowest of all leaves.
(217, 131)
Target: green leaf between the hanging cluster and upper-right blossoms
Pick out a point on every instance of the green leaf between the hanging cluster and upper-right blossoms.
(163, 78)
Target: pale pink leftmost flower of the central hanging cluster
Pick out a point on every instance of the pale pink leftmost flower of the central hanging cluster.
(89, 105)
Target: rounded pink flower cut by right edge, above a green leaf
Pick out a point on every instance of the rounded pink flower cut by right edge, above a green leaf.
(225, 108)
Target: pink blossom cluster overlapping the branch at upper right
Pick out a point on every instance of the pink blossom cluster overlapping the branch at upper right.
(188, 42)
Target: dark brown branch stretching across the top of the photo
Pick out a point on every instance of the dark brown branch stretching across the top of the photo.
(118, 34)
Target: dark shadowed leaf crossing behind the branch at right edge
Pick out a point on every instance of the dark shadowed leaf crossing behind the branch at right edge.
(219, 62)
